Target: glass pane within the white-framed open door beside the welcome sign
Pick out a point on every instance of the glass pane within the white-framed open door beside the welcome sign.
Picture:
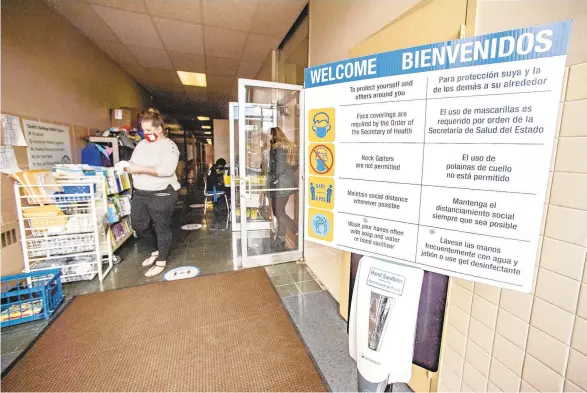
(272, 140)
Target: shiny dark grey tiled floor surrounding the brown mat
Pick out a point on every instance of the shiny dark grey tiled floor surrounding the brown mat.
(210, 249)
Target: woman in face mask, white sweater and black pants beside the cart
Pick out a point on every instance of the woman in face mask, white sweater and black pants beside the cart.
(153, 165)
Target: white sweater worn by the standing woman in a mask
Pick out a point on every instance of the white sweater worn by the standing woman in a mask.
(162, 155)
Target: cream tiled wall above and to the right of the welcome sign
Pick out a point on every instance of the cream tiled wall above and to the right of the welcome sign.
(501, 340)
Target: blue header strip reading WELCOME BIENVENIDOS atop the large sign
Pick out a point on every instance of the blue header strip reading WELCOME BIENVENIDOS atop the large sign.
(512, 45)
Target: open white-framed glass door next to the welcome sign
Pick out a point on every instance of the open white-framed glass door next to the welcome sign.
(270, 145)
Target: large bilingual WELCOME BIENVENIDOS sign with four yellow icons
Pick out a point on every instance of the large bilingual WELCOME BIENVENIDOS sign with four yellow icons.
(438, 156)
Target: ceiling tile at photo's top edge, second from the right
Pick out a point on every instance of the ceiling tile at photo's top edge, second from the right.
(238, 15)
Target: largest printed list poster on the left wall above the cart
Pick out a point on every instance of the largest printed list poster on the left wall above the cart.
(49, 144)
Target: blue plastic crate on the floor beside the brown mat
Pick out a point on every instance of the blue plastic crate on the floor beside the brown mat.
(30, 296)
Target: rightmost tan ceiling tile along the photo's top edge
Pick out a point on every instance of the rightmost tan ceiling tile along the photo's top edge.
(276, 17)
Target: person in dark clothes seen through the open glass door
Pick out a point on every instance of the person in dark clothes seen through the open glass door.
(283, 162)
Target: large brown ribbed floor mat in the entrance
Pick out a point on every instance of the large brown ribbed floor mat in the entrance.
(225, 332)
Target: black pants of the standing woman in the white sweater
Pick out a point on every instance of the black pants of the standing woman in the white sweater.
(155, 207)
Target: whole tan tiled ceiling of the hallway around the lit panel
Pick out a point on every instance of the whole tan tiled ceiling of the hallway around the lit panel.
(152, 39)
